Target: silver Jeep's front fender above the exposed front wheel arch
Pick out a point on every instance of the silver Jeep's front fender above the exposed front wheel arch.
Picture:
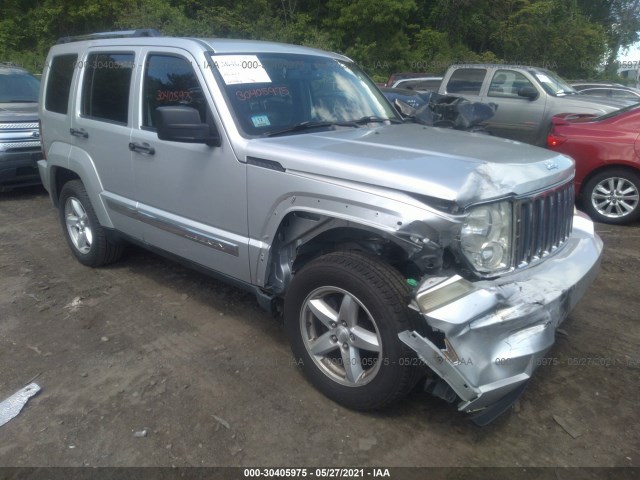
(392, 214)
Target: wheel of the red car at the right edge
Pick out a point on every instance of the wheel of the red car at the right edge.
(613, 196)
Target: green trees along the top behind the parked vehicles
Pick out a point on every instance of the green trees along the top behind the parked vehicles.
(576, 38)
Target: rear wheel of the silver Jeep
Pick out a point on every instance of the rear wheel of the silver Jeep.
(84, 234)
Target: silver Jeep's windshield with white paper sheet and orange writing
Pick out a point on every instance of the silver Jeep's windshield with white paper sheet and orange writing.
(277, 93)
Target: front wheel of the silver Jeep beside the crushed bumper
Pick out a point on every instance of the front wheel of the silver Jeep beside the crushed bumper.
(342, 314)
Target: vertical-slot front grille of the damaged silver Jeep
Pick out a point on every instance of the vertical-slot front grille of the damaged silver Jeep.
(543, 223)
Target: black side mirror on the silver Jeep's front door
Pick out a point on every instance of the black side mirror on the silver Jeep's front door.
(183, 124)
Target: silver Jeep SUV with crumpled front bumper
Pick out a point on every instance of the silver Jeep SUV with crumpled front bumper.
(395, 252)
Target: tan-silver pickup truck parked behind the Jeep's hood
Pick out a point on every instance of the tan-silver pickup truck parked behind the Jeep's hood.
(527, 98)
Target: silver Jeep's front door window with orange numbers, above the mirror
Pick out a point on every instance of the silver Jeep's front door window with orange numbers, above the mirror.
(168, 81)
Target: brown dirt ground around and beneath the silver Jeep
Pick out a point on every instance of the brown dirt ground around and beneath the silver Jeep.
(149, 346)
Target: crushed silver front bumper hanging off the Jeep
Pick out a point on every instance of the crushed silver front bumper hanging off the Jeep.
(496, 332)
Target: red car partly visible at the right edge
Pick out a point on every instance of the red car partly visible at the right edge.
(606, 150)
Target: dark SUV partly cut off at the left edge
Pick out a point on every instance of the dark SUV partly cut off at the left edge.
(19, 133)
